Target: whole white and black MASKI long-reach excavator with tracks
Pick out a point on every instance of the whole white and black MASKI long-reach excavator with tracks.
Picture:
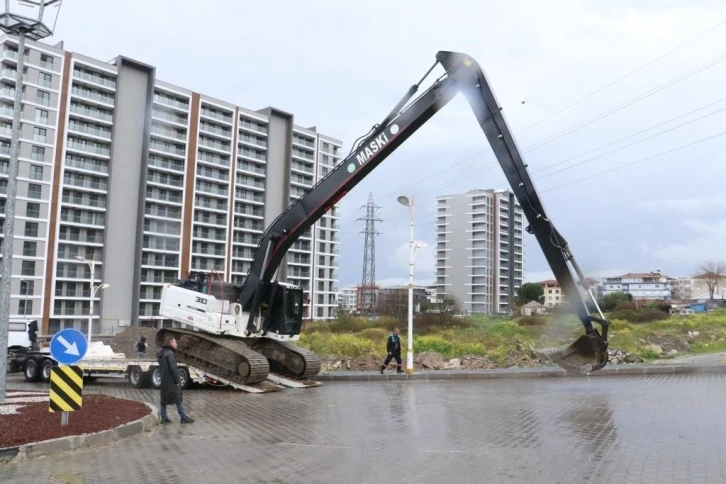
(243, 331)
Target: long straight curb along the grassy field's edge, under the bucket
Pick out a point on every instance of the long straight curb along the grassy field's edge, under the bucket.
(543, 372)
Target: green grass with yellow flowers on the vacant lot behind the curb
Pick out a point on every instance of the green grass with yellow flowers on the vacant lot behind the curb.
(498, 338)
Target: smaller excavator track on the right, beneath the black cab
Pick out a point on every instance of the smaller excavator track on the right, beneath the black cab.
(287, 358)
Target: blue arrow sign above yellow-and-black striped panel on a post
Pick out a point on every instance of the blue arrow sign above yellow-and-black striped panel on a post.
(67, 347)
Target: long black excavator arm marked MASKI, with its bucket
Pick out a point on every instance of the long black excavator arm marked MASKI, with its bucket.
(462, 75)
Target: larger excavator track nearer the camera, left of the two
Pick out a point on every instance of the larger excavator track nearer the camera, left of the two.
(222, 356)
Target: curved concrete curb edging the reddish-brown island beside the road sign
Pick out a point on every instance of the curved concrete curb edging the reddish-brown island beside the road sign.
(45, 447)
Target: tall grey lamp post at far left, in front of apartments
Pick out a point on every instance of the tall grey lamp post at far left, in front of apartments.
(15, 21)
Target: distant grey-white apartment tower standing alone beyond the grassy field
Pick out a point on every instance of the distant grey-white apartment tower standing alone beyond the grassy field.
(480, 249)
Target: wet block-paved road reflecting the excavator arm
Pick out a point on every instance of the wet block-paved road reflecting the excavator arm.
(657, 429)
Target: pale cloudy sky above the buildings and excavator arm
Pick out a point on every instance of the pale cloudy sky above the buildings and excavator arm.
(627, 102)
